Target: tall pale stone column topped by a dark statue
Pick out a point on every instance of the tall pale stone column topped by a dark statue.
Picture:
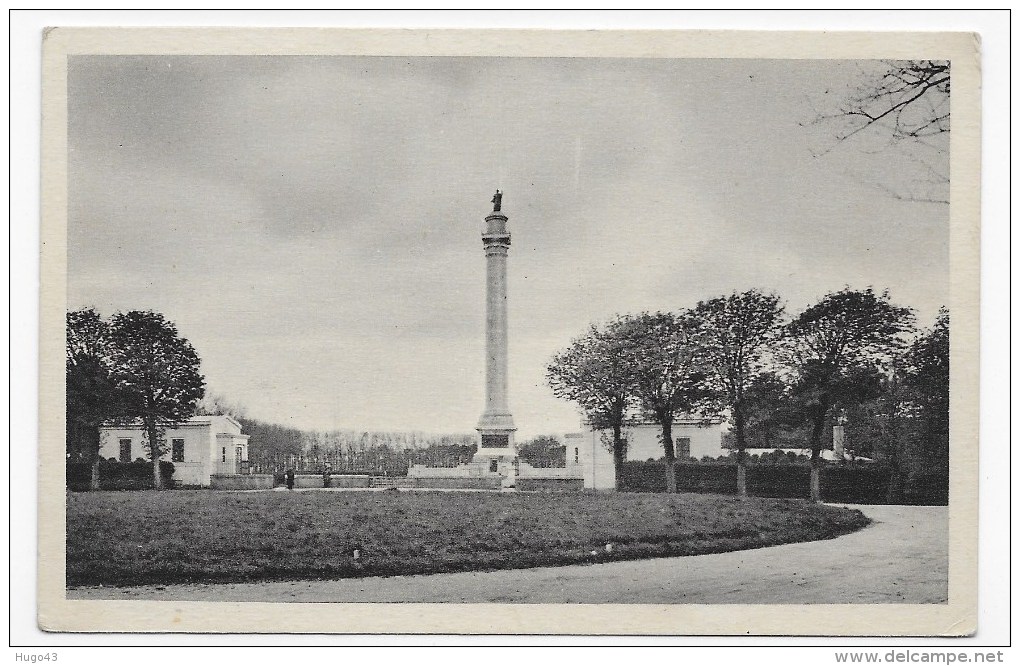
(496, 427)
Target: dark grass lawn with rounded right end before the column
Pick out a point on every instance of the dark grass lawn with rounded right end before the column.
(145, 537)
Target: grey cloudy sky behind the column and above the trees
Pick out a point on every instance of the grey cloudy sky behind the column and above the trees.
(313, 225)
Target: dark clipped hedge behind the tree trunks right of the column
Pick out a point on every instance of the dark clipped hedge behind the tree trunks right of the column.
(853, 485)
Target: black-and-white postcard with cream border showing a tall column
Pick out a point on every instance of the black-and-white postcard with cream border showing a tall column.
(576, 327)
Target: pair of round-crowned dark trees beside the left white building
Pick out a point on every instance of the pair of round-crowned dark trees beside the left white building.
(132, 370)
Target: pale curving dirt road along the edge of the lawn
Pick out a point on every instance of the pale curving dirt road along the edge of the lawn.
(902, 557)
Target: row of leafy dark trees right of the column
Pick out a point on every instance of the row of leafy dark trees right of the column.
(780, 382)
